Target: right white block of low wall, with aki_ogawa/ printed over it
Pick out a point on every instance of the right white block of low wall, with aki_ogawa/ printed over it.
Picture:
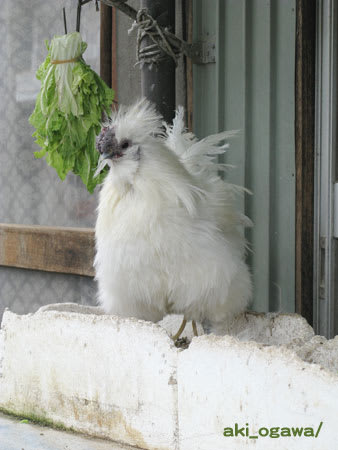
(222, 381)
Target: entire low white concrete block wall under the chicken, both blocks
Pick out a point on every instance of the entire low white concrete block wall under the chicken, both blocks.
(123, 379)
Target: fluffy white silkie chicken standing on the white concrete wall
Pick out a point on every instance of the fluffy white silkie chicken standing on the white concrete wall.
(168, 239)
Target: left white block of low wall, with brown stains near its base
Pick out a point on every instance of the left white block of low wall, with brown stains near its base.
(101, 375)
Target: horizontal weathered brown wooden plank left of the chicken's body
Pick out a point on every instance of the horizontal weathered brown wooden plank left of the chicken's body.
(50, 249)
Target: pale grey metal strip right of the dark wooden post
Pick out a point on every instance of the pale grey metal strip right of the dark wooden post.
(325, 285)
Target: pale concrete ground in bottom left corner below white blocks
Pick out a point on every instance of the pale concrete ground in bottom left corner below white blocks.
(17, 435)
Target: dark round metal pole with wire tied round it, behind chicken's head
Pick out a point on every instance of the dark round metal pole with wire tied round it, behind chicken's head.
(158, 80)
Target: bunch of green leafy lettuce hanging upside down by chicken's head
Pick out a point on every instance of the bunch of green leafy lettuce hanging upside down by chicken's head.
(68, 110)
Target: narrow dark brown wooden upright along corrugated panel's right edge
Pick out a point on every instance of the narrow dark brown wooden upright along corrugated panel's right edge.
(304, 131)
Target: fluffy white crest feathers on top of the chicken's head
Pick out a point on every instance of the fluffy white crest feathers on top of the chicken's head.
(136, 122)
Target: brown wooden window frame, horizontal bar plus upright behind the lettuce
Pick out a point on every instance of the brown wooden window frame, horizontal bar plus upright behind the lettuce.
(64, 250)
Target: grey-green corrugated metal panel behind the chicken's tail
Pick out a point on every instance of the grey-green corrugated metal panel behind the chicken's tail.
(251, 88)
